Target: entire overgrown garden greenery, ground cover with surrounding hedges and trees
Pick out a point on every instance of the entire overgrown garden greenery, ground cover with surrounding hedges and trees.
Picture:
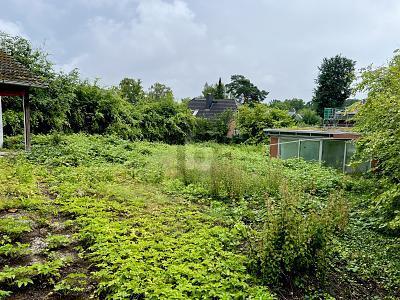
(126, 195)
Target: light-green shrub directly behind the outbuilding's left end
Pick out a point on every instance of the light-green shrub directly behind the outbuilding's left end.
(253, 120)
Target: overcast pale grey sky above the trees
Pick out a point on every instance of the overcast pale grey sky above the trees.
(184, 43)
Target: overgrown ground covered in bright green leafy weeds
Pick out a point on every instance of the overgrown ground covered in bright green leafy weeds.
(98, 217)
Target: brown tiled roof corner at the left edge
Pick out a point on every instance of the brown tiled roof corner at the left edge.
(13, 72)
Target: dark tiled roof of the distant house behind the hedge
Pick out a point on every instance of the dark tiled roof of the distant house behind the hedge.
(218, 106)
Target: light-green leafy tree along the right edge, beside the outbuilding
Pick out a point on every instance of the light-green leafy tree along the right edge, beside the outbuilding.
(378, 122)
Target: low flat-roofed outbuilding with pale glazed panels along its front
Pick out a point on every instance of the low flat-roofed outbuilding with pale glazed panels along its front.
(333, 148)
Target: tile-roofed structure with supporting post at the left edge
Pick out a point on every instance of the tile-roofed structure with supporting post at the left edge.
(16, 80)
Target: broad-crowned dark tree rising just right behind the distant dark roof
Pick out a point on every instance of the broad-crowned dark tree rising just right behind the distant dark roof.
(240, 86)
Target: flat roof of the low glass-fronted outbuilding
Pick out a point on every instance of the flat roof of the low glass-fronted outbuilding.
(331, 133)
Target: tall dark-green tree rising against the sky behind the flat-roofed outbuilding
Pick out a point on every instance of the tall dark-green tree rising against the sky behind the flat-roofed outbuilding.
(335, 77)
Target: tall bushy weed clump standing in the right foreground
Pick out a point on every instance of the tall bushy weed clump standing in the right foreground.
(293, 242)
